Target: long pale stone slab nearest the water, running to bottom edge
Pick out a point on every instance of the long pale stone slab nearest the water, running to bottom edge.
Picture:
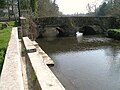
(46, 78)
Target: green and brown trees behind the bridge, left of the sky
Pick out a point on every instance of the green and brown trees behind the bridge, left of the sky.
(39, 8)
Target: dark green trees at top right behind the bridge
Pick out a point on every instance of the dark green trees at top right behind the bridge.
(109, 8)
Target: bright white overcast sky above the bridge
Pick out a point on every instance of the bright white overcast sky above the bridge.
(75, 6)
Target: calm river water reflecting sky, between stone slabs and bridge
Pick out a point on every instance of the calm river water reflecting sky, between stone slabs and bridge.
(90, 63)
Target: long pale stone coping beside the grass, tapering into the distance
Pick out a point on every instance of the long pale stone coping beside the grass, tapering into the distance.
(11, 76)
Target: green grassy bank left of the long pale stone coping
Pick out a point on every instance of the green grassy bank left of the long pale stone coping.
(4, 39)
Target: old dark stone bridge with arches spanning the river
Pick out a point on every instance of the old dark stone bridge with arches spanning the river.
(67, 26)
